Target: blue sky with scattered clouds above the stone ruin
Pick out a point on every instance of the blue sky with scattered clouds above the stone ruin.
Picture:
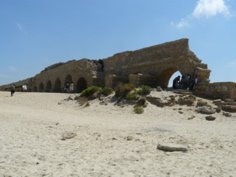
(37, 33)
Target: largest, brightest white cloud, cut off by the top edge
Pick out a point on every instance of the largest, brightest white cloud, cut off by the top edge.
(210, 8)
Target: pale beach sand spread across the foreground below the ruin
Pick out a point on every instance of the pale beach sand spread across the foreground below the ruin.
(33, 124)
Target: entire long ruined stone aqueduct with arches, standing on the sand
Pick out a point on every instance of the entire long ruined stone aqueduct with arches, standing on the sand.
(152, 66)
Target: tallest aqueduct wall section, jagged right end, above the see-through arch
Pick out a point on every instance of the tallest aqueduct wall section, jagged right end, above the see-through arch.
(159, 61)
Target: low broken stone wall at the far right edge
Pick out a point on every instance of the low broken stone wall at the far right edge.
(218, 90)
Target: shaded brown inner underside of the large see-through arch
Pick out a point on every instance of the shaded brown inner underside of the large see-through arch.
(164, 77)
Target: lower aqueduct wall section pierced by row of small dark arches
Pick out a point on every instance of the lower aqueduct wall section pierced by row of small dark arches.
(72, 71)
